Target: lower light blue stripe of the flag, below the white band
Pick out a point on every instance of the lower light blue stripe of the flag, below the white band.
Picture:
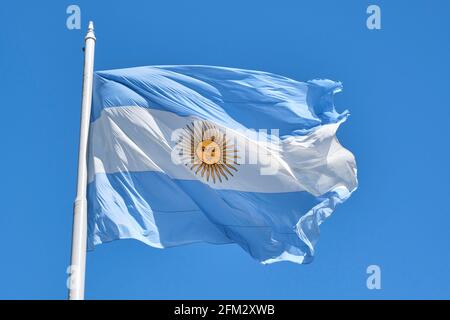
(187, 211)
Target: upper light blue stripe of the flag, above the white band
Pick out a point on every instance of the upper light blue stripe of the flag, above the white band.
(254, 99)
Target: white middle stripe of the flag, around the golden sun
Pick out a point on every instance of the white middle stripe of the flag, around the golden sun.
(134, 139)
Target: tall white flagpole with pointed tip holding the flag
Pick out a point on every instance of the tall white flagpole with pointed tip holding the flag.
(79, 232)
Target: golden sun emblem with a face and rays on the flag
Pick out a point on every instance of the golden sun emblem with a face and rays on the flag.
(205, 149)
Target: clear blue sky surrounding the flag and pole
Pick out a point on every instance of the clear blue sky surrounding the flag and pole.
(395, 85)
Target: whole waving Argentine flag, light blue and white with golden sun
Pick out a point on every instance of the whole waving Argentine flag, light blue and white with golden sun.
(184, 154)
